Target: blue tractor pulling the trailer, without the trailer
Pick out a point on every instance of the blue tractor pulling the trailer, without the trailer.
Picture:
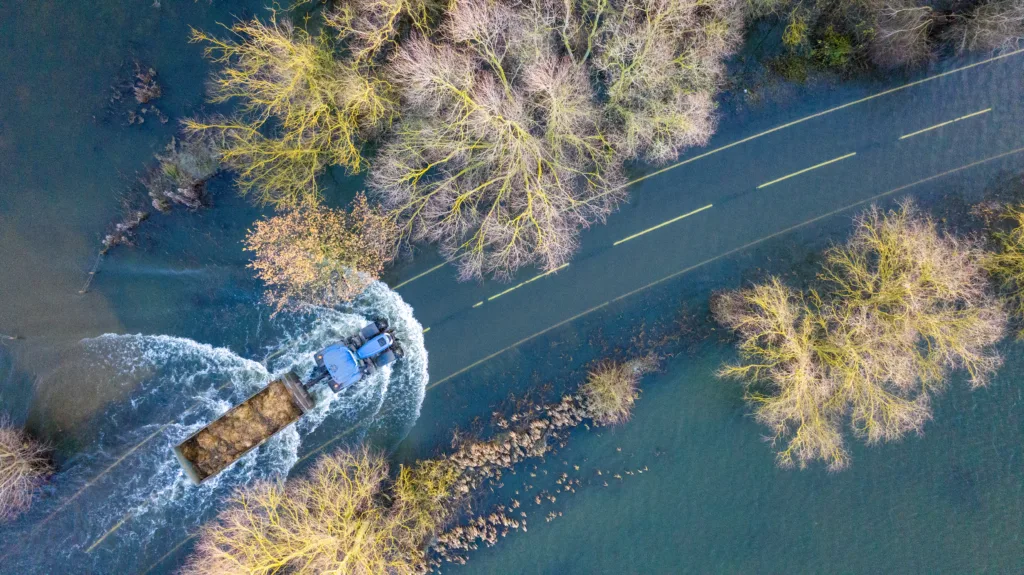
(345, 364)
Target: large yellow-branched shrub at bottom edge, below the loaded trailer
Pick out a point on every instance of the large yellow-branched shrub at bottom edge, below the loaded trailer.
(335, 520)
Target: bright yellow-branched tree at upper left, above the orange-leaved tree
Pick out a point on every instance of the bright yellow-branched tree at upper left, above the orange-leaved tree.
(302, 109)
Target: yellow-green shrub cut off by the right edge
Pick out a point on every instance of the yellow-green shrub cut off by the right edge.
(1007, 263)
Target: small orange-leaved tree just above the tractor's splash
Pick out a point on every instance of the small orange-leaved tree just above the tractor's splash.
(321, 256)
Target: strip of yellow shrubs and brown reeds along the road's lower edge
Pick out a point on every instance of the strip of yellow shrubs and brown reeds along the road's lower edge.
(353, 515)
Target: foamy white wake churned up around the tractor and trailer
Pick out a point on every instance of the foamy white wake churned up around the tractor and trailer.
(183, 385)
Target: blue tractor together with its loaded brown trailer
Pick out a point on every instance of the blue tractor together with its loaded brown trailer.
(284, 402)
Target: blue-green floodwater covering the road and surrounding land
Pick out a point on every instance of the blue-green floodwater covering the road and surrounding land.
(173, 332)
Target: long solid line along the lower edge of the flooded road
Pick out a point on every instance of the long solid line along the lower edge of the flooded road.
(719, 257)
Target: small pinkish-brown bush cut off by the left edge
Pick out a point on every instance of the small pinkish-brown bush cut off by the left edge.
(25, 467)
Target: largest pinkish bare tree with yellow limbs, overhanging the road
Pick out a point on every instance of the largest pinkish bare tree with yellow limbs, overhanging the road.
(501, 159)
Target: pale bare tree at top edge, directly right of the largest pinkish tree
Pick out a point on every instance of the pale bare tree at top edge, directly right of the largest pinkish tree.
(662, 62)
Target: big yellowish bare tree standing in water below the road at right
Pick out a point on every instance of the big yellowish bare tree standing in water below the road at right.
(899, 306)
